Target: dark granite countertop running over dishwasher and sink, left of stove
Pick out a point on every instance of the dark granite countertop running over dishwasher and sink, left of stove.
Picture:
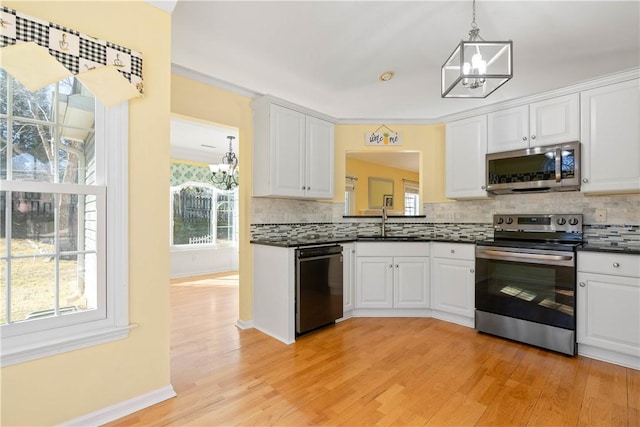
(292, 243)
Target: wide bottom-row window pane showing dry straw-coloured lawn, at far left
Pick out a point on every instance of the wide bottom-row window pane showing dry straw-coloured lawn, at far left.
(32, 288)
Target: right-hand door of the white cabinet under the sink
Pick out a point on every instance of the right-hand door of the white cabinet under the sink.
(411, 282)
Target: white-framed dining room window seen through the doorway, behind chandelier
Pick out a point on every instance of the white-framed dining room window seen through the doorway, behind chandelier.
(203, 215)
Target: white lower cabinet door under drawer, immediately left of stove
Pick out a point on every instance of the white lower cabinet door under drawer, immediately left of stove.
(453, 286)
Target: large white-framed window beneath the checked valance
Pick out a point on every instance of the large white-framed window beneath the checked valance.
(55, 211)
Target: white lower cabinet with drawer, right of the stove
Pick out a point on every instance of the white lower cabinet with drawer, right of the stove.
(608, 307)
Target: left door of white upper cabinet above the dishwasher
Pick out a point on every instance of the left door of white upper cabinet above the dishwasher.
(287, 136)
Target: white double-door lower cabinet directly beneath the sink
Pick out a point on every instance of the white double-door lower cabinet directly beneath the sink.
(392, 276)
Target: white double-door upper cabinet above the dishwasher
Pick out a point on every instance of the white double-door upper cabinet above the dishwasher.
(293, 153)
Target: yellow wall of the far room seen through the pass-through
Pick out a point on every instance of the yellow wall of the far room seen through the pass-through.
(363, 170)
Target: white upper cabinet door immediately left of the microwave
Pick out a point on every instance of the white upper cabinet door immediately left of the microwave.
(466, 149)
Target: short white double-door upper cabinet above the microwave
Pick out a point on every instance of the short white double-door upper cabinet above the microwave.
(551, 121)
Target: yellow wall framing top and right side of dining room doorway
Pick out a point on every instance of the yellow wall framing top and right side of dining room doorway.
(195, 100)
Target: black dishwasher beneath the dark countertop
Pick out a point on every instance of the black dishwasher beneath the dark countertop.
(319, 289)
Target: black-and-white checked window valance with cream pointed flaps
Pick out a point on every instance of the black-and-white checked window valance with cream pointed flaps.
(38, 53)
